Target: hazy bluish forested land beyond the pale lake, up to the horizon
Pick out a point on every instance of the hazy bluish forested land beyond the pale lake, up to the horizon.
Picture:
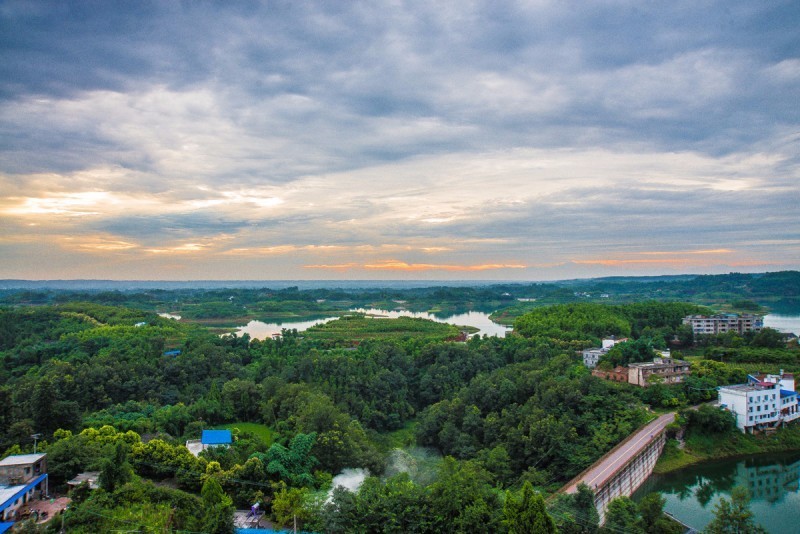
(230, 305)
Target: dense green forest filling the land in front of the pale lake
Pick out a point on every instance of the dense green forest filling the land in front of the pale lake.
(456, 435)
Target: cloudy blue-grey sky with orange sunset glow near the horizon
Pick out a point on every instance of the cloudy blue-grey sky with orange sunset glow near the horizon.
(398, 140)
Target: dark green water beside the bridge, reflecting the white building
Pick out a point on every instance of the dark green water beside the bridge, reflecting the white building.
(772, 480)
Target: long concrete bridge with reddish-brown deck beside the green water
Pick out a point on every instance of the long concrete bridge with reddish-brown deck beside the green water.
(622, 470)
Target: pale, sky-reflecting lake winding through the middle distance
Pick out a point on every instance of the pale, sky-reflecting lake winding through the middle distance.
(480, 320)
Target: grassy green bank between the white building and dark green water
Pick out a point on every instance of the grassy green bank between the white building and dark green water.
(699, 448)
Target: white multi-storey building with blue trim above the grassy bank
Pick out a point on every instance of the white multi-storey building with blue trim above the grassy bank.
(760, 404)
